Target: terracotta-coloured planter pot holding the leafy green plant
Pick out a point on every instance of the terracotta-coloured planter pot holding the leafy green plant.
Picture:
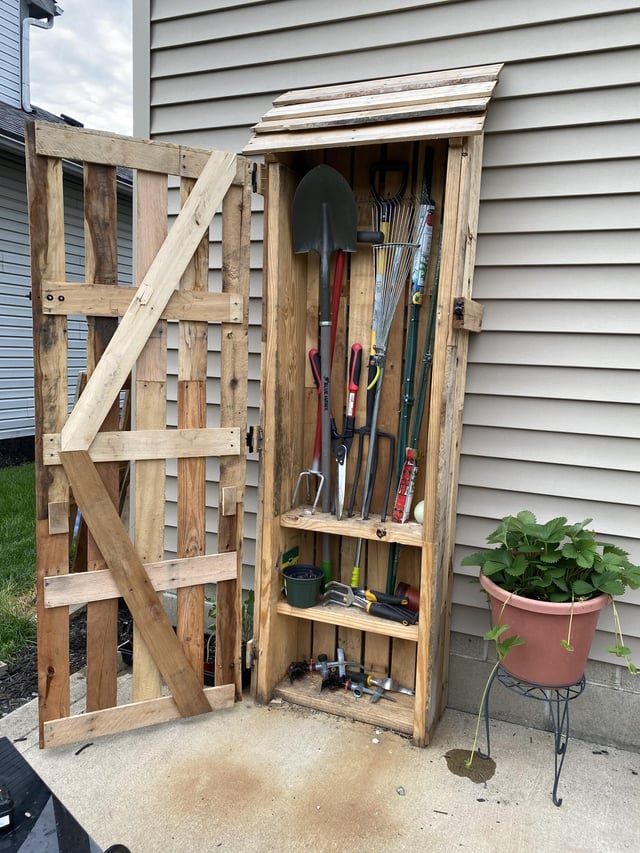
(543, 625)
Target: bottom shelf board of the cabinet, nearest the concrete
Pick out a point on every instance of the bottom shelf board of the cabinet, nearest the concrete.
(397, 715)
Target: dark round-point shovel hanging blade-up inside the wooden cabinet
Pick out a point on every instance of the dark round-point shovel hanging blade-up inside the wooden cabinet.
(325, 219)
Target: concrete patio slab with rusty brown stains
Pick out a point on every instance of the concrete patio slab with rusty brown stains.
(282, 778)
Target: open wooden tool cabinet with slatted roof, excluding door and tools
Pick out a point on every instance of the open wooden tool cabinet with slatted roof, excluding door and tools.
(432, 126)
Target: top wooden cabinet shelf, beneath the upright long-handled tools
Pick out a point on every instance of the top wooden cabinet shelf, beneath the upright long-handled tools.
(301, 518)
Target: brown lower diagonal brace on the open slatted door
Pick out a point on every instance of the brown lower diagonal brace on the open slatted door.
(133, 582)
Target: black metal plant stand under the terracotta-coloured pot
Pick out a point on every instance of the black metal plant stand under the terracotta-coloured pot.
(557, 699)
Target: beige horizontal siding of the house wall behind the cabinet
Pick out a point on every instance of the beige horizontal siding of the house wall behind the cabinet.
(550, 416)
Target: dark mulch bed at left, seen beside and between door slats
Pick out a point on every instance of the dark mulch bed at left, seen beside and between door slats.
(20, 683)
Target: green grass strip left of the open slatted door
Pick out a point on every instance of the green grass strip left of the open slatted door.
(17, 560)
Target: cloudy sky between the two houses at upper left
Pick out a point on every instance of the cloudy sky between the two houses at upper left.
(82, 66)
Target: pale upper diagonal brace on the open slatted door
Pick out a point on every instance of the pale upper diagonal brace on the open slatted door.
(153, 295)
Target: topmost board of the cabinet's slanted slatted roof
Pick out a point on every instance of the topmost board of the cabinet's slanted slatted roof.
(478, 74)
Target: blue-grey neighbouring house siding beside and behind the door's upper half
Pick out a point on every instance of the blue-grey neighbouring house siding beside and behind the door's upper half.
(16, 348)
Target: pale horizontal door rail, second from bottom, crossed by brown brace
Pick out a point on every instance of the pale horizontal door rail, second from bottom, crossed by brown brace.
(67, 590)
